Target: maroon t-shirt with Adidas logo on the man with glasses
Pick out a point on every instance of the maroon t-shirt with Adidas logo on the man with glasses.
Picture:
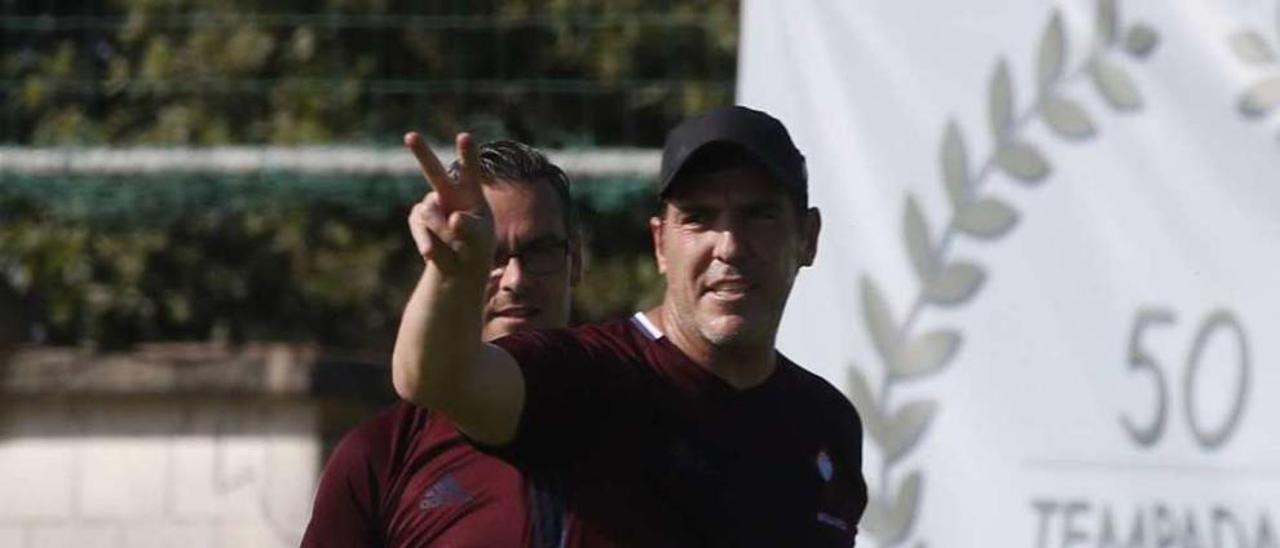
(408, 478)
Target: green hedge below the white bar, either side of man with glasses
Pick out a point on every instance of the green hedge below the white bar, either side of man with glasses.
(103, 263)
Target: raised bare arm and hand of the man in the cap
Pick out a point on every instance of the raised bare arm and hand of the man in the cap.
(440, 360)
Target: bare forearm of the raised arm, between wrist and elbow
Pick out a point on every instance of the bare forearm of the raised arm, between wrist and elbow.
(438, 339)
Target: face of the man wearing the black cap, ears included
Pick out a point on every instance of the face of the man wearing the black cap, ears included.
(730, 245)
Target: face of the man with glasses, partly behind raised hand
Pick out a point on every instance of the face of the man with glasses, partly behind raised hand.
(532, 291)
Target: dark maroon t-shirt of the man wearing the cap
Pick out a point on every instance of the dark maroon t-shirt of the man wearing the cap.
(653, 450)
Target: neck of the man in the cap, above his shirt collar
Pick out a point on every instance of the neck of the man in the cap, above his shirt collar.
(744, 366)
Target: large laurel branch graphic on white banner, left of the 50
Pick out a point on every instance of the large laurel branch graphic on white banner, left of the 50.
(906, 355)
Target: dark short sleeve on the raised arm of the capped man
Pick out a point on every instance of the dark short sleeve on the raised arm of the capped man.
(568, 386)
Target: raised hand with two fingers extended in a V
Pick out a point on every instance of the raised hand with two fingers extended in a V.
(452, 226)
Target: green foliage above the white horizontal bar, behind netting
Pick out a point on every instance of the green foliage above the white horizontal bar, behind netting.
(209, 72)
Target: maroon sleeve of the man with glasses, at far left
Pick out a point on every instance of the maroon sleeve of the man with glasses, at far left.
(345, 513)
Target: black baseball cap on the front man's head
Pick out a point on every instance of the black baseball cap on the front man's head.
(757, 135)
